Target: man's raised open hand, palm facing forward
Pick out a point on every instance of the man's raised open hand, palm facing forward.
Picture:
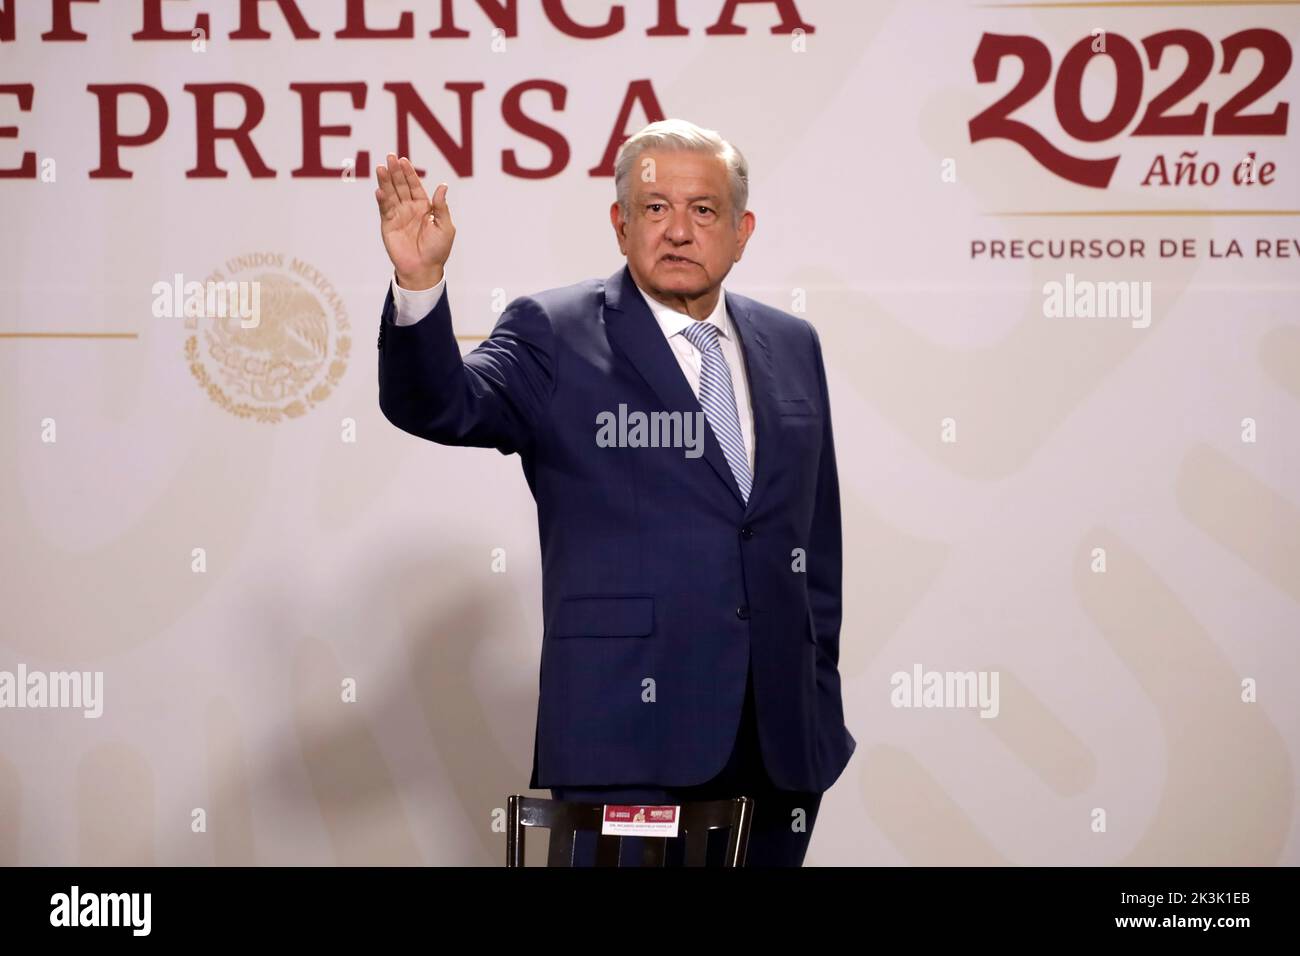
(418, 231)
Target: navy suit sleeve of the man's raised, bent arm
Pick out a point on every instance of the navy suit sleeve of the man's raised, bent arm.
(495, 397)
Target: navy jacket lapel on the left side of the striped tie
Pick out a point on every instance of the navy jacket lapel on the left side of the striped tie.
(632, 328)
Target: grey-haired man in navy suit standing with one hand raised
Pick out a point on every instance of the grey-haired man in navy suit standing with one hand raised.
(691, 594)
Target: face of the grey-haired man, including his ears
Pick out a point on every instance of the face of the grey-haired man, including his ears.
(679, 239)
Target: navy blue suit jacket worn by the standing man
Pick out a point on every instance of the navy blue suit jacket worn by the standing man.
(653, 566)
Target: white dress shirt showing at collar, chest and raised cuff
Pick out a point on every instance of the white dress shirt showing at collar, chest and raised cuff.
(414, 305)
